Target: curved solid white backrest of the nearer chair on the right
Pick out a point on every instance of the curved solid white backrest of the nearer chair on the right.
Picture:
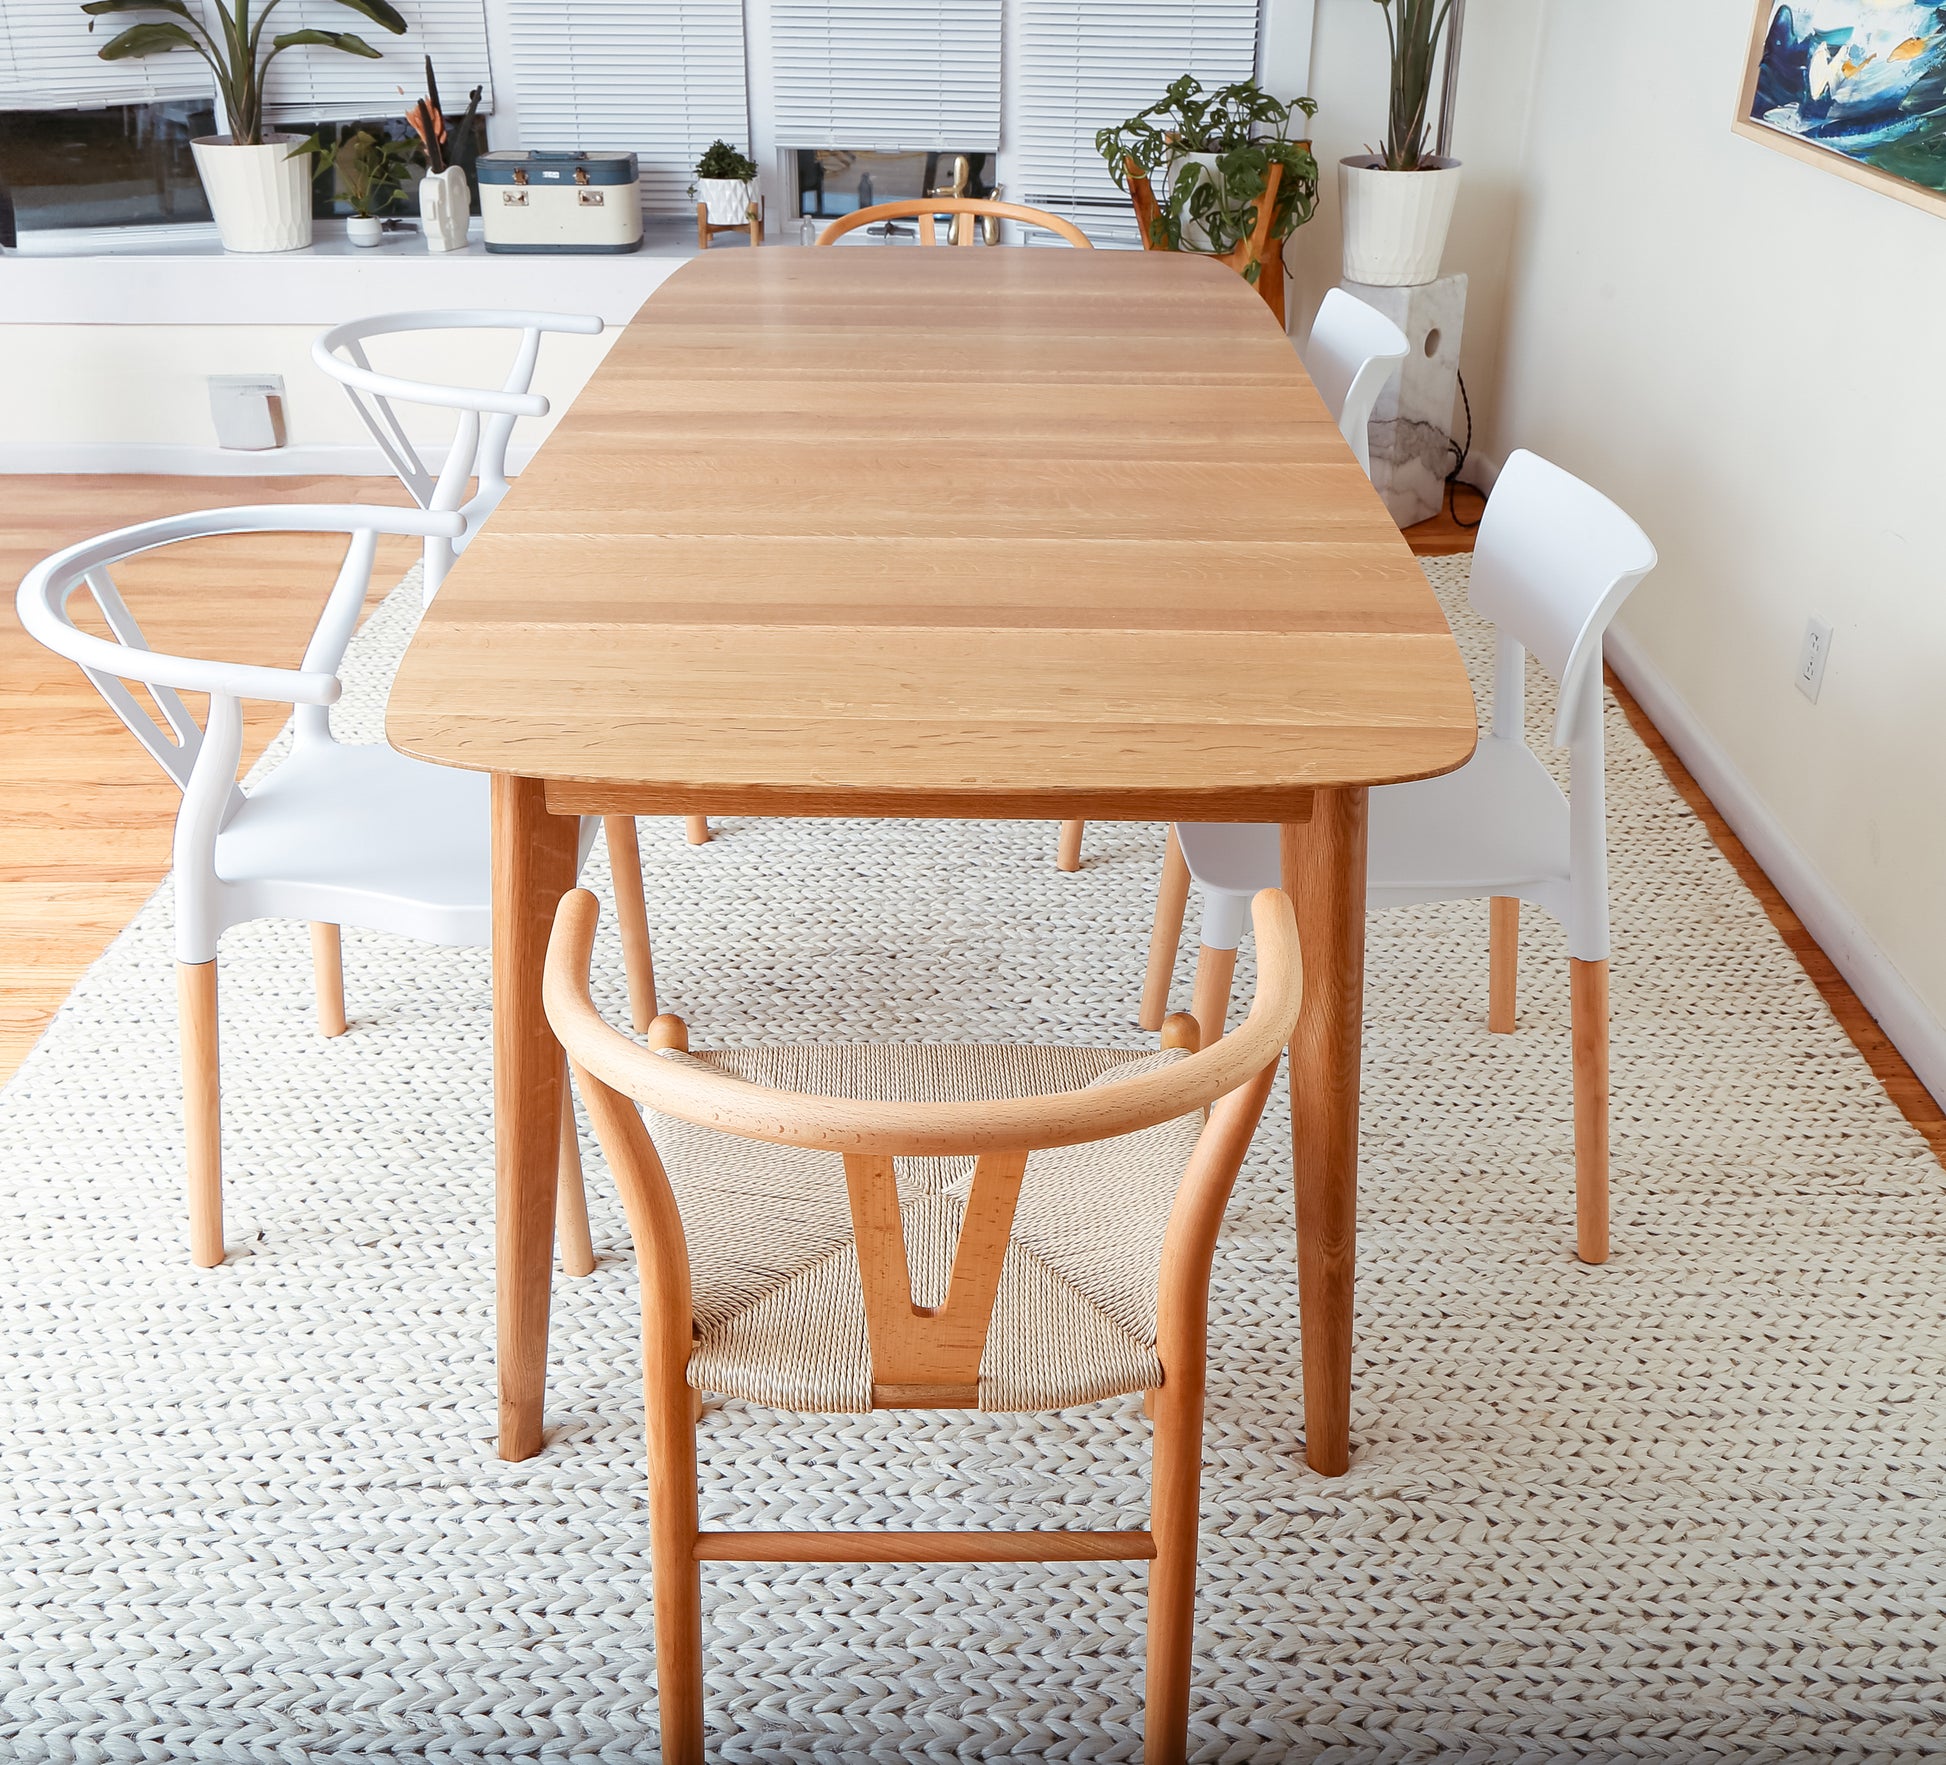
(1552, 567)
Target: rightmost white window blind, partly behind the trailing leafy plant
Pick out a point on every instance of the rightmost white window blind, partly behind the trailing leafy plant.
(1087, 65)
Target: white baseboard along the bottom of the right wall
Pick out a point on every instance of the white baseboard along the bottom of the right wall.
(1881, 988)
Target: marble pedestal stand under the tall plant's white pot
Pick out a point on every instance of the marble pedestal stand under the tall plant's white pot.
(1412, 425)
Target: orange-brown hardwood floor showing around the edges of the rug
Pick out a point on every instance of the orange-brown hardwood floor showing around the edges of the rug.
(87, 816)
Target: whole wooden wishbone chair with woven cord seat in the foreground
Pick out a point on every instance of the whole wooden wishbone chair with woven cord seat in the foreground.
(1052, 1246)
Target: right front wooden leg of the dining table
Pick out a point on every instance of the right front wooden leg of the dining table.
(1324, 877)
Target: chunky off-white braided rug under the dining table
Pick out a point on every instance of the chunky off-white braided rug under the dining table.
(1684, 1507)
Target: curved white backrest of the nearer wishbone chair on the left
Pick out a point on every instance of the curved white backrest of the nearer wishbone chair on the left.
(203, 760)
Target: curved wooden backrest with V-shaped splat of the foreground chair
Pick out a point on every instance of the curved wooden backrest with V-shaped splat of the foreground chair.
(914, 1350)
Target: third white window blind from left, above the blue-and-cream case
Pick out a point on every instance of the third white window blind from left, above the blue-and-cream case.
(661, 81)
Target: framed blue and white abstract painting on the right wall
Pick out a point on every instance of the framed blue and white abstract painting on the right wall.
(1857, 87)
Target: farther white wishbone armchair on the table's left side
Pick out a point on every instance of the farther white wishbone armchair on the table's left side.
(482, 435)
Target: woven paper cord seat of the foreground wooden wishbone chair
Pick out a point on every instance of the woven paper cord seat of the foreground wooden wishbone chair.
(777, 1297)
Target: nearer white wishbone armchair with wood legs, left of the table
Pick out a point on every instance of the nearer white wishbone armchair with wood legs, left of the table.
(336, 836)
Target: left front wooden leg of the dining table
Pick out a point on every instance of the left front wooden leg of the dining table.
(532, 869)
